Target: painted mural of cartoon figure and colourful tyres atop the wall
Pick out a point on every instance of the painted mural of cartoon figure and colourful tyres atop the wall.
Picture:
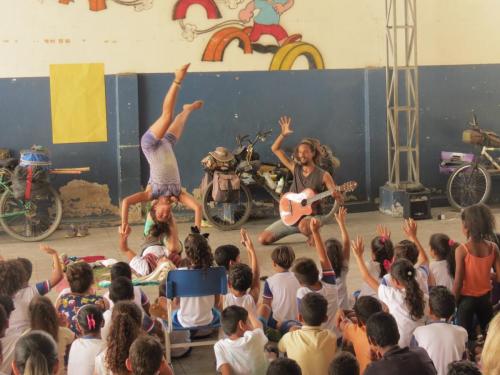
(247, 22)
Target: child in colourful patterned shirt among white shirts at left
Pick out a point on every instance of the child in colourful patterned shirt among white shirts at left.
(81, 281)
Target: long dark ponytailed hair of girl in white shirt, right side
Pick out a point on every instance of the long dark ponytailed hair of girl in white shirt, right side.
(403, 271)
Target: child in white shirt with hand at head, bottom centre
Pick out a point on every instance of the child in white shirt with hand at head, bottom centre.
(242, 352)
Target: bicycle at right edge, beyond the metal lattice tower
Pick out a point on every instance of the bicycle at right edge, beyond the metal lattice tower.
(471, 182)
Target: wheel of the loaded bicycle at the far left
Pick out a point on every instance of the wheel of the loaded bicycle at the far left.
(31, 220)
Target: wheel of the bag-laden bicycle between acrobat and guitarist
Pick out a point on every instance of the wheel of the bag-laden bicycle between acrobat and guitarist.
(230, 215)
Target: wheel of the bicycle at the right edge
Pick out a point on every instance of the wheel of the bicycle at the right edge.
(468, 185)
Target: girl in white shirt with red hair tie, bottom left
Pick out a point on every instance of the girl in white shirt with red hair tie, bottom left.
(85, 349)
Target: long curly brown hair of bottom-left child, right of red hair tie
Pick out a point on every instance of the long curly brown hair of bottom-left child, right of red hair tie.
(125, 327)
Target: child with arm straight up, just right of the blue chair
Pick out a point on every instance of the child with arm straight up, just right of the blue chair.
(243, 281)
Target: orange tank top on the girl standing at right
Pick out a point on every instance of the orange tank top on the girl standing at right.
(477, 270)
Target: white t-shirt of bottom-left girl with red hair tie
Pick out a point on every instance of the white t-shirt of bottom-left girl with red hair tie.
(83, 354)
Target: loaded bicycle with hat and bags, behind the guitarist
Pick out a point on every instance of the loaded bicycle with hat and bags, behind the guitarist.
(230, 178)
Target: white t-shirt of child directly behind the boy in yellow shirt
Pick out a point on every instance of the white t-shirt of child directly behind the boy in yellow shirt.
(282, 287)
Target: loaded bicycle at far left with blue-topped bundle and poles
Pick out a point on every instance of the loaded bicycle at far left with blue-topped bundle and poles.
(30, 208)
